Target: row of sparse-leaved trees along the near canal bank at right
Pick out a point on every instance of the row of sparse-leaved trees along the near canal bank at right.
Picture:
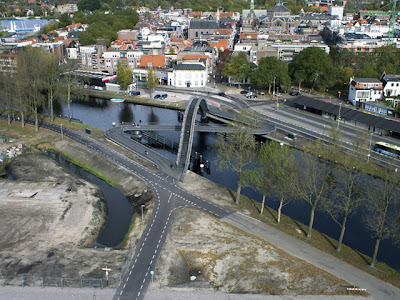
(324, 176)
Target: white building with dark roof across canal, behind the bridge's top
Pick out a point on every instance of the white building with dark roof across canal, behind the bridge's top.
(188, 75)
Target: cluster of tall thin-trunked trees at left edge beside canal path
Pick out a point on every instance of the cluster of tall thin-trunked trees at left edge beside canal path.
(37, 84)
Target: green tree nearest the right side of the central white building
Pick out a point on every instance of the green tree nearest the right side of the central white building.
(238, 68)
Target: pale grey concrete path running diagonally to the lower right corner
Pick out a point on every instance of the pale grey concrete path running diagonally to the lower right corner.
(376, 288)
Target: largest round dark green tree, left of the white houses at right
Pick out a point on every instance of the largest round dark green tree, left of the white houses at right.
(314, 66)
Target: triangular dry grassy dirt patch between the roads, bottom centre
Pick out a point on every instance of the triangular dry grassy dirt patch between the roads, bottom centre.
(226, 259)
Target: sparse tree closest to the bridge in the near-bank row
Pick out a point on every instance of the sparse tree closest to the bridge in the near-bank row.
(237, 151)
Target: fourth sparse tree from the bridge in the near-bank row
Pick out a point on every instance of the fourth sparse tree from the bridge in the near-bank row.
(313, 180)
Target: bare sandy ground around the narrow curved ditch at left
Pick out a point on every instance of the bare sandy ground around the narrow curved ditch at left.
(48, 216)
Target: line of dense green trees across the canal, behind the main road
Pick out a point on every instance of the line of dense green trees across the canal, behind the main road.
(314, 68)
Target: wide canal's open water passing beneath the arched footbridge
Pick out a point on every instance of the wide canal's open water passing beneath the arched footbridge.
(102, 113)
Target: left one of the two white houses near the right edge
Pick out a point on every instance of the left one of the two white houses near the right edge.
(365, 90)
